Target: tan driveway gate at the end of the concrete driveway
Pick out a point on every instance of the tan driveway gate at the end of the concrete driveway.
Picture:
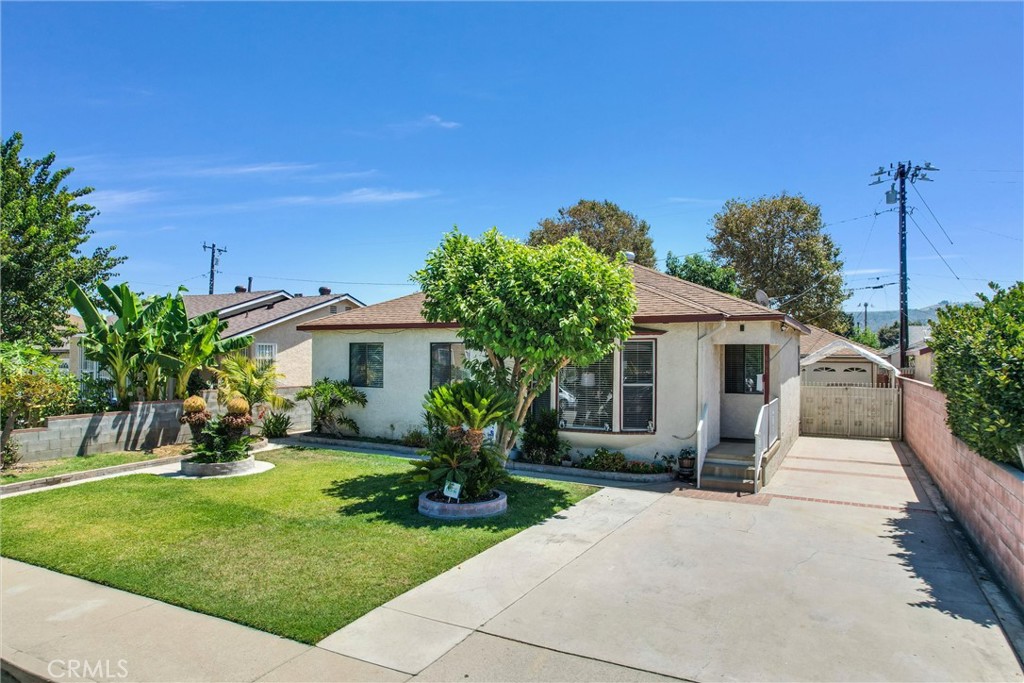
(850, 411)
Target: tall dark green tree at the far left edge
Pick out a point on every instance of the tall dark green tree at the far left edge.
(42, 227)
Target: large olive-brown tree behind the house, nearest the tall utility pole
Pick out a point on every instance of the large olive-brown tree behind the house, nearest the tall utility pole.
(778, 244)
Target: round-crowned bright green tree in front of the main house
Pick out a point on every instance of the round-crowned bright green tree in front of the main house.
(530, 311)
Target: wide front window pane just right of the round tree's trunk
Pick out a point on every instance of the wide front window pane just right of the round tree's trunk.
(585, 396)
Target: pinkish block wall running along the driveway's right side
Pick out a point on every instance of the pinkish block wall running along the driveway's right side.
(987, 497)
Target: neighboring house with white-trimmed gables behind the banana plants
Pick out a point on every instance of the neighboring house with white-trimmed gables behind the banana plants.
(272, 318)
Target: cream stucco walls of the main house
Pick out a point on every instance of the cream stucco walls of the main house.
(690, 372)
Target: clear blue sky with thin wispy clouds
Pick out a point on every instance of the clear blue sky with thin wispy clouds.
(337, 143)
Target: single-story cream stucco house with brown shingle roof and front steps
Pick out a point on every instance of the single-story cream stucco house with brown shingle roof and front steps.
(697, 358)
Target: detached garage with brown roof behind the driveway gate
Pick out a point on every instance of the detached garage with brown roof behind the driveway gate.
(827, 358)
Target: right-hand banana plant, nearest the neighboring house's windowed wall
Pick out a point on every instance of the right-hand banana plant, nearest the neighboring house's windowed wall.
(197, 343)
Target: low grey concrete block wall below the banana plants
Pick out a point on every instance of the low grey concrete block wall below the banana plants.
(146, 425)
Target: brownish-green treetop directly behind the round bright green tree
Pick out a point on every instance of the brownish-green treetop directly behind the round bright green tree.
(604, 226)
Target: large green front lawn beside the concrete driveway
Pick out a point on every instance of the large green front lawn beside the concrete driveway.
(300, 551)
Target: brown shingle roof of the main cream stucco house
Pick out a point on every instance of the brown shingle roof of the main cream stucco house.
(661, 298)
